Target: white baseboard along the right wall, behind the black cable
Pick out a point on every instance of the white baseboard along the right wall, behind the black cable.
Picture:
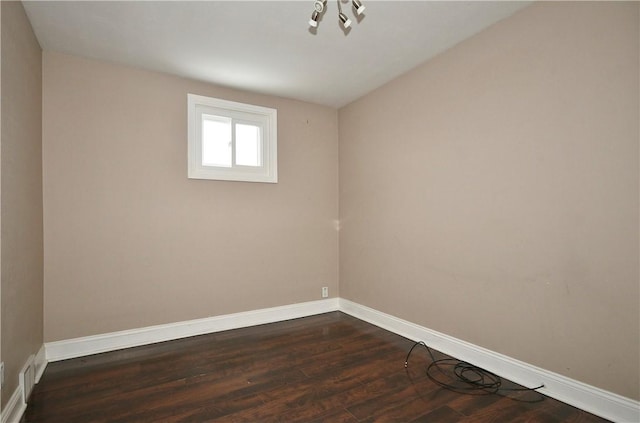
(586, 397)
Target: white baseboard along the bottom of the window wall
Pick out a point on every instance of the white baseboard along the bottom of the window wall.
(78, 347)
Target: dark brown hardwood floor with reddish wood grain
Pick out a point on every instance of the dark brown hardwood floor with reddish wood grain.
(330, 367)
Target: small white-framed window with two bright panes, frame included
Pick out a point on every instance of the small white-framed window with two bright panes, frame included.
(231, 141)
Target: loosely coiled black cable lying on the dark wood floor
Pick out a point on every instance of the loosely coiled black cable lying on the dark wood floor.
(466, 378)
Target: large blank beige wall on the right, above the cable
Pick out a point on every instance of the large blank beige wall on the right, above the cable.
(492, 193)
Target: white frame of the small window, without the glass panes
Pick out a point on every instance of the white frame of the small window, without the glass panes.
(242, 113)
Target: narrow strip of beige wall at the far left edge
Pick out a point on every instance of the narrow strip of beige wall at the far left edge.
(21, 301)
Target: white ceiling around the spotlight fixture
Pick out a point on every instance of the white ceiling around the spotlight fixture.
(265, 46)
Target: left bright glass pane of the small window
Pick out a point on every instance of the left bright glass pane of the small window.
(216, 141)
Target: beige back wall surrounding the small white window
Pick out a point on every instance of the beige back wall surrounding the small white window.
(131, 242)
